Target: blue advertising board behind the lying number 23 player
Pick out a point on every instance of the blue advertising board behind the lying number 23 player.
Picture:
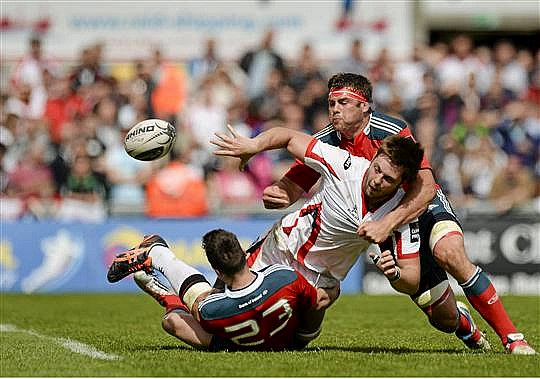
(57, 257)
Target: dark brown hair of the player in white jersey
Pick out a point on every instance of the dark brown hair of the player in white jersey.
(403, 152)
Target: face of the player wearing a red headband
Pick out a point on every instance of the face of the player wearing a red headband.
(347, 115)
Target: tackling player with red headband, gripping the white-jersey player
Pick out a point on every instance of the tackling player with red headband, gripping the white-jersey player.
(358, 129)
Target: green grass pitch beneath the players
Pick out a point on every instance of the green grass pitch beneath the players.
(362, 336)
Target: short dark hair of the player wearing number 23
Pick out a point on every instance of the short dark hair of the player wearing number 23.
(224, 252)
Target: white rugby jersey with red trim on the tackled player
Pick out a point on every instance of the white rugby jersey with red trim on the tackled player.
(322, 234)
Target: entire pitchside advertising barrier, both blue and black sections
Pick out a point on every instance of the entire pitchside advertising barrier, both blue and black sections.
(57, 257)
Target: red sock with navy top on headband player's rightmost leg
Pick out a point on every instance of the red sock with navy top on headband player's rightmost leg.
(483, 297)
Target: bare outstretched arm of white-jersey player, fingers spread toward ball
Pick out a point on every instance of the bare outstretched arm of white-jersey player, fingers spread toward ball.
(236, 145)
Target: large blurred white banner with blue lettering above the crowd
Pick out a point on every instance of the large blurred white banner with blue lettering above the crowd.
(131, 29)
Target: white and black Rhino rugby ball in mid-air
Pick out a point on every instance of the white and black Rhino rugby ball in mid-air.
(150, 139)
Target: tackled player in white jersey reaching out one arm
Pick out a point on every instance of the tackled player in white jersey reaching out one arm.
(320, 240)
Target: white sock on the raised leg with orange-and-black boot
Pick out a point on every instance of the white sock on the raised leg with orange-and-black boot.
(175, 270)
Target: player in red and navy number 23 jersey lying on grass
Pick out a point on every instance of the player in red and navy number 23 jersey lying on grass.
(194, 311)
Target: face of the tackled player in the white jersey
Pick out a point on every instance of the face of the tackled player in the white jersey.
(382, 178)
